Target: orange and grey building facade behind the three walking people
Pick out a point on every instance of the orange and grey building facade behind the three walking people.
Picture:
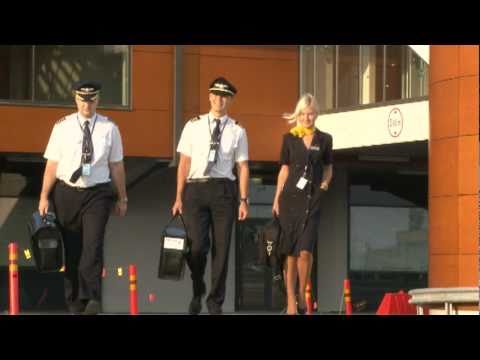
(384, 105)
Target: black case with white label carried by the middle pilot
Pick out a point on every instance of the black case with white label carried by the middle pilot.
(174, 246)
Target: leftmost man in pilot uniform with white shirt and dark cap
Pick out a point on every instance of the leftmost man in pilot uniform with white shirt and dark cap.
(82, 163)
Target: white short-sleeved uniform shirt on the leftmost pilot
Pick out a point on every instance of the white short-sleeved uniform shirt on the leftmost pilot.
(65, 148)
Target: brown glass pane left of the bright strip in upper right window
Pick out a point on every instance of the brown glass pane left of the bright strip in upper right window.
(348, 75)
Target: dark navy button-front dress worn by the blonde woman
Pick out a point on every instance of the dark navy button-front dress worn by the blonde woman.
(300, 209)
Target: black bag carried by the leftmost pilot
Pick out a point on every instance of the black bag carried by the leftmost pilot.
(47, 242)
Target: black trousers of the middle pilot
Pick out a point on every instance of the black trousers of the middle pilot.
(210, 207)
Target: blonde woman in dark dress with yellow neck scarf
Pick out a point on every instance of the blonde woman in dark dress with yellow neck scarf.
(304, 176)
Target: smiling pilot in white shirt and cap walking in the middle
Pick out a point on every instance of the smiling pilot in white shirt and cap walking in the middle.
(207, 195)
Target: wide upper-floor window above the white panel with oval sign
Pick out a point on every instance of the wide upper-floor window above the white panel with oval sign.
(348, 75)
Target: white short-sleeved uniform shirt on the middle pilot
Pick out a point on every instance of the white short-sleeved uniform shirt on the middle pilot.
(195, 143)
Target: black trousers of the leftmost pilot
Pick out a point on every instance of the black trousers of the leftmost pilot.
(83, 216)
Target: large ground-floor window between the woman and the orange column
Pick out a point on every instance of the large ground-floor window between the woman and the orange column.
(388, 222)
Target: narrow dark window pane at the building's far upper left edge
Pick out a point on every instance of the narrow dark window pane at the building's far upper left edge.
(15, 72)
